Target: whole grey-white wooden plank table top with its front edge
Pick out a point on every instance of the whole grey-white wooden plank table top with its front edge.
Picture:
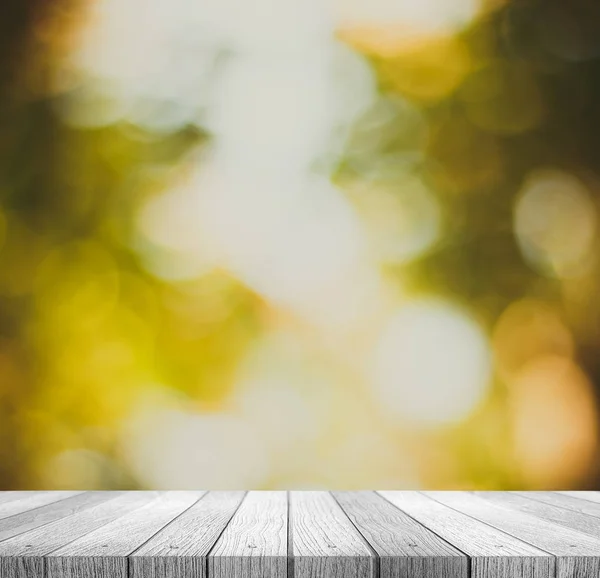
(299, 534)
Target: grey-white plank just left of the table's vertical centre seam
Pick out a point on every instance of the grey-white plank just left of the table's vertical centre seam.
(254, 543)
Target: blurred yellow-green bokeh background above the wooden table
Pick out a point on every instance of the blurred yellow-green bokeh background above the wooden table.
(299, 244)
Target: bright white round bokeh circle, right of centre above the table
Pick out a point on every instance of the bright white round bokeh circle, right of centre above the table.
(431, 364)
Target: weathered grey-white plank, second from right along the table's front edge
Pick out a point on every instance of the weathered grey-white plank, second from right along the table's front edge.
(493, 553)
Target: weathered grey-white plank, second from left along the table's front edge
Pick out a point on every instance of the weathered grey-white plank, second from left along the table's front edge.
(103, 552)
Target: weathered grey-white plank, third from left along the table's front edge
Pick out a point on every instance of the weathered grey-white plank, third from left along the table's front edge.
(180, 549)
